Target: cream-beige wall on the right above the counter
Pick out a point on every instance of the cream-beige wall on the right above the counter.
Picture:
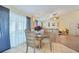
(70, 21)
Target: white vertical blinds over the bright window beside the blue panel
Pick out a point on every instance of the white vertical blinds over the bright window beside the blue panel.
(17, 28)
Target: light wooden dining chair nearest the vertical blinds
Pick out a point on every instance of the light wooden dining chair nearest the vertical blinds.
(30, 40)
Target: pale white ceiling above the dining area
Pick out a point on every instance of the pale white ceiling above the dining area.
(39, 10)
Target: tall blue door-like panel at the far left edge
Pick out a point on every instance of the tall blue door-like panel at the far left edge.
(4, 29)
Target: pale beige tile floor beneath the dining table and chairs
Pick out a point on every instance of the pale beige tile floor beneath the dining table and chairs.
(57, 48)
